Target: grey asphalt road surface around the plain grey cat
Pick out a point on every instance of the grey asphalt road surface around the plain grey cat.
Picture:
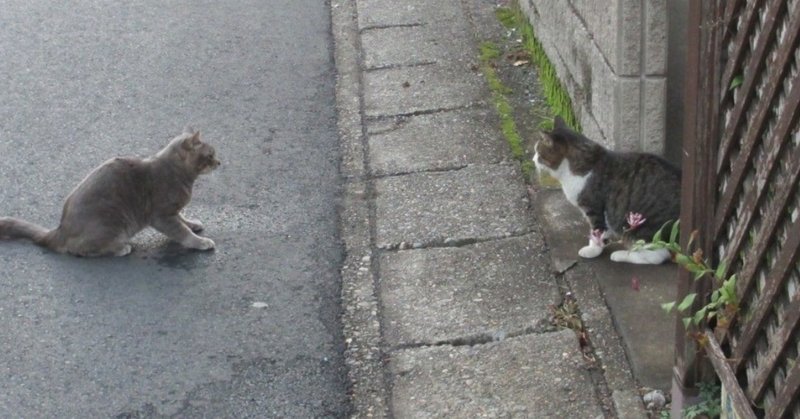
(249, 330)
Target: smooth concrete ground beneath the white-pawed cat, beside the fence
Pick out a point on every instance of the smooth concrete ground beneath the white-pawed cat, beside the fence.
(646, 330)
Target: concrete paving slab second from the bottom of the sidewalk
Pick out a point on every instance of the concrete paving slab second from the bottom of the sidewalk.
(480, 292)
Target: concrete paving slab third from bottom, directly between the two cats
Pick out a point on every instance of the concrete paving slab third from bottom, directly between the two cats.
(478, 202)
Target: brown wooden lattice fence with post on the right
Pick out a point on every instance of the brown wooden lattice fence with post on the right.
(741, 191)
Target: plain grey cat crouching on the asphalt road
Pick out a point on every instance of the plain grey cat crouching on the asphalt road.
(122, 197)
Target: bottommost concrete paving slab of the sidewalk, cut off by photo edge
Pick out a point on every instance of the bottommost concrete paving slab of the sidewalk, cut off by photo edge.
(495, 380)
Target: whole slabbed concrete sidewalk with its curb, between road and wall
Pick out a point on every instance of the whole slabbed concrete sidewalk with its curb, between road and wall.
(448, 284)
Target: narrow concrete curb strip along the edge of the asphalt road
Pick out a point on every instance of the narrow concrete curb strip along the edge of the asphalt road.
(363, 353)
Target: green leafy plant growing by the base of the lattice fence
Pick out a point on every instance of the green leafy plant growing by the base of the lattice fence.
(723, 303)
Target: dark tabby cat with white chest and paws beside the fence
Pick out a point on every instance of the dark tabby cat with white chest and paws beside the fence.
(630, 193)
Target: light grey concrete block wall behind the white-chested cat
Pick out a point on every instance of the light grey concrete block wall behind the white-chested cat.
(611, 56)
